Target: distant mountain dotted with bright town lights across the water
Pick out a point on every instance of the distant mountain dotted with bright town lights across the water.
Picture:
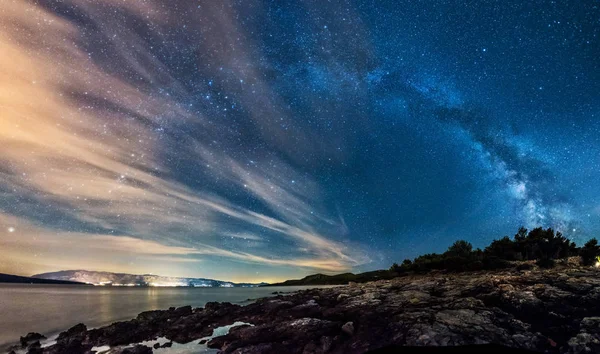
(122, 279)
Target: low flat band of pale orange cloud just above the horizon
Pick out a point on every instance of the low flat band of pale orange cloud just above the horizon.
(20, 240)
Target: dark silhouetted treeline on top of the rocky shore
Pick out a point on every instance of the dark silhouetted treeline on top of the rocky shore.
(544, 246)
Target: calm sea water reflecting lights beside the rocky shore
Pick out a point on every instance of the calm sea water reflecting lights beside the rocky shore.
(50, 309)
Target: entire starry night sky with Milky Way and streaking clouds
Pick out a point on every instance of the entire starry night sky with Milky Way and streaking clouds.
(266, 140)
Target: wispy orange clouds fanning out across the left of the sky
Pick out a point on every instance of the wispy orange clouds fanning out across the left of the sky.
(86, 143)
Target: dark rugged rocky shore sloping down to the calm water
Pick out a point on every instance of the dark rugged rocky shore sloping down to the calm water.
(553, 311)
